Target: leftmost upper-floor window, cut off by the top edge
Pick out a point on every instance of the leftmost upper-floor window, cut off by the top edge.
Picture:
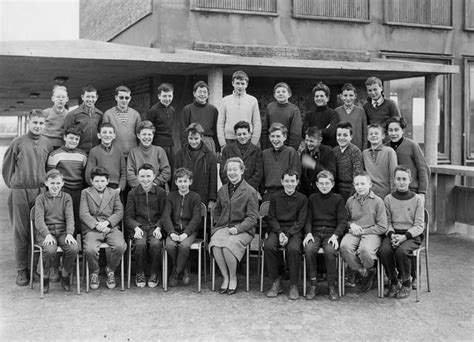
(261, 7)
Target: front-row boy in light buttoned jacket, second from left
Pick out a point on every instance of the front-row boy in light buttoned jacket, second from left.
(101, 212)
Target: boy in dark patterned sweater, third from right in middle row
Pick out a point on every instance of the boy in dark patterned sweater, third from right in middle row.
(348, 160)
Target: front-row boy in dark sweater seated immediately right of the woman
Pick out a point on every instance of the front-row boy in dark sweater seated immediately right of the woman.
(286, 217)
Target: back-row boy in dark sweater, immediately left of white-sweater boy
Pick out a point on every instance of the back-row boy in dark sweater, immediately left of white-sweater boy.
(202, 112)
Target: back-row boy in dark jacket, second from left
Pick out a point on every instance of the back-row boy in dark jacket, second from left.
(87, 117)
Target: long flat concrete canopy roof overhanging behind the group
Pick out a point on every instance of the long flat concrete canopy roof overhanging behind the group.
(31, 66)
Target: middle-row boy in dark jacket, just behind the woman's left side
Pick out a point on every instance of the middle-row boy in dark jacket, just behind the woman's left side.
(197, 158)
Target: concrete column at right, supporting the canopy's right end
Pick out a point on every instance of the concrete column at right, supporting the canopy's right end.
(431, 119)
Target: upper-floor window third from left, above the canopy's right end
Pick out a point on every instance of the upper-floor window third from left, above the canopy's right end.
(422, 13)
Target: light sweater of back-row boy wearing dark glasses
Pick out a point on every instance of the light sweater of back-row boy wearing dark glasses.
(125, 125)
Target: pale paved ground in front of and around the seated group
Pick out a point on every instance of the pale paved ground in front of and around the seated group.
(184, 314)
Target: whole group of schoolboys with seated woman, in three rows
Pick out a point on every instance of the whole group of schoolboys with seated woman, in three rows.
(126, 158)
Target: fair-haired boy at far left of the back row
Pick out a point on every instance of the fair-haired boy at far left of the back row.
(54, 125)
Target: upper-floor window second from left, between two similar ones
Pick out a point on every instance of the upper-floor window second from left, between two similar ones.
(341, 10)
